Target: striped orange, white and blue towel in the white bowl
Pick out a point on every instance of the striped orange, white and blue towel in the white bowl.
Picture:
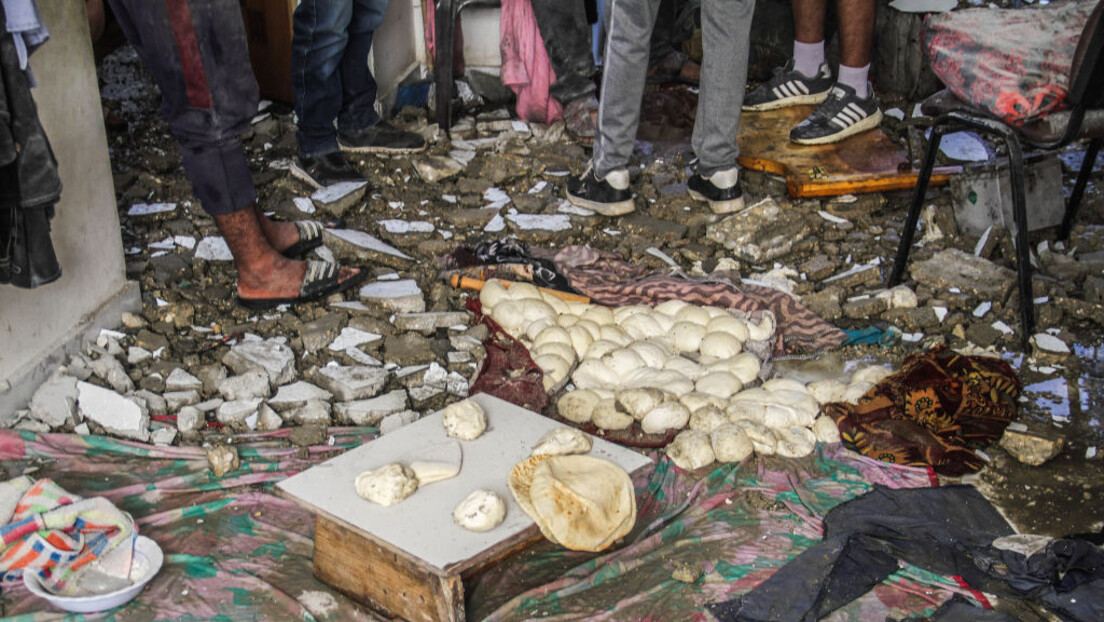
(46, 529)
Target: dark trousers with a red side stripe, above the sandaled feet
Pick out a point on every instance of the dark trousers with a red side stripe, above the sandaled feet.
(198, 55)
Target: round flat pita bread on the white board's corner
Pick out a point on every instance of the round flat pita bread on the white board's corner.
(580, 502)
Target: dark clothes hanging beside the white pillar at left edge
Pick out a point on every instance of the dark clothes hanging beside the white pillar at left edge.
(29, 182)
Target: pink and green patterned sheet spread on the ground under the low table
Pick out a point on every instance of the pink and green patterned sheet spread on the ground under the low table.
(237, 552)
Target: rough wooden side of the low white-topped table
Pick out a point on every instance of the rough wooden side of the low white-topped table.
(396, 584)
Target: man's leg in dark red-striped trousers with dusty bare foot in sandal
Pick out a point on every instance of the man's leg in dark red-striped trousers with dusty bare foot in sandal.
(197, 52)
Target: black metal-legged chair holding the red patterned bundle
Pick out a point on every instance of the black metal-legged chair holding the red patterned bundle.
(1084, 120)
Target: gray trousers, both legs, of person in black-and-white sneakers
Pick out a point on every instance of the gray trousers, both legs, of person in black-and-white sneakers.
(726, 33)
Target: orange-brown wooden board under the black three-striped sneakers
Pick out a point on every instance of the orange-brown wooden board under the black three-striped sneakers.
(865, 163)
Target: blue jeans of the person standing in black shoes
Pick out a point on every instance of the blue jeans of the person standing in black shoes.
(330, 70)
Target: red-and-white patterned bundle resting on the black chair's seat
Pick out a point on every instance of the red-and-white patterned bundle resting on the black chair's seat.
(1014, 64)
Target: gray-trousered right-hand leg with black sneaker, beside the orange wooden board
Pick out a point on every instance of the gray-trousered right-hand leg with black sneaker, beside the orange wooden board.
(726, 34)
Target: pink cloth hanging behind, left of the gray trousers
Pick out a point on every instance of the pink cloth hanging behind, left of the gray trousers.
(526, 67)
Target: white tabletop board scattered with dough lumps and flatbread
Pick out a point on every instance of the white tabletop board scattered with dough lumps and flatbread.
(422, 524)
